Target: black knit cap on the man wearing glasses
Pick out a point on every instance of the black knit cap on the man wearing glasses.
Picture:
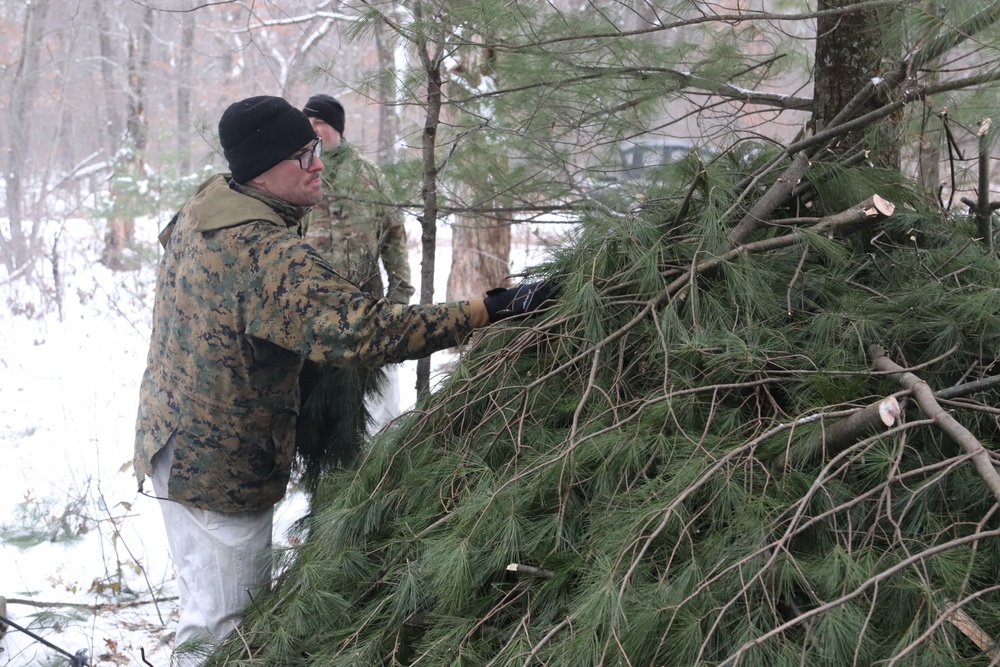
(259, 132)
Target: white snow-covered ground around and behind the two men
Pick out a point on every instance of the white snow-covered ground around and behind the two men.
(83, 557)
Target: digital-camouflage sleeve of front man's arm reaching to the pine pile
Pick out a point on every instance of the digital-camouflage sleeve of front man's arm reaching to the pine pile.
(296, 301)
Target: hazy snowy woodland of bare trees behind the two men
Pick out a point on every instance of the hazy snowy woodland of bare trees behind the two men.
(109, 108)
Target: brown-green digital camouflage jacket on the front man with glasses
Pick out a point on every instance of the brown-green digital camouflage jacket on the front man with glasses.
(241, 300)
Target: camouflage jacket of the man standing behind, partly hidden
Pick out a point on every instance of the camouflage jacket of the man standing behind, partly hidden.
(355, 228)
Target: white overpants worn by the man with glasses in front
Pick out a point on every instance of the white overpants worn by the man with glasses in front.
(220, 560)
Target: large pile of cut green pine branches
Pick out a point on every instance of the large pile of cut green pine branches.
(754, 430)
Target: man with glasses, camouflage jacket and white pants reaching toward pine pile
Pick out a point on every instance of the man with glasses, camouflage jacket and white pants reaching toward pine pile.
(241, 301)
